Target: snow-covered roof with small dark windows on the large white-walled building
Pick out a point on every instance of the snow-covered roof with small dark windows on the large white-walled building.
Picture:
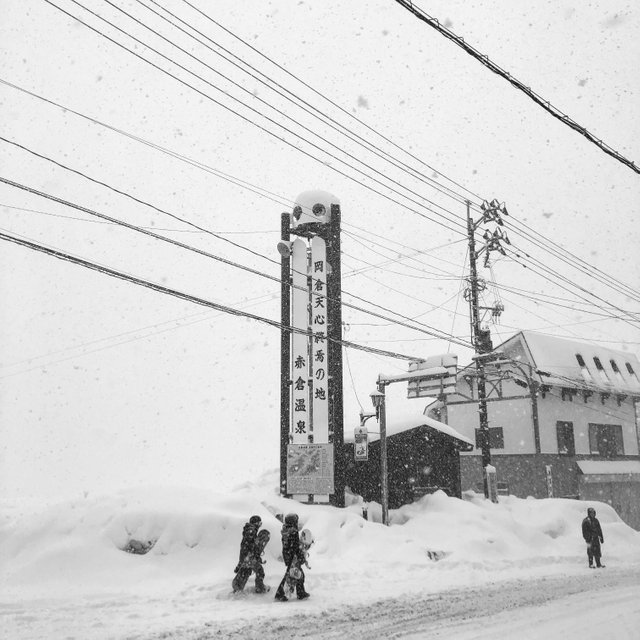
(583, 364)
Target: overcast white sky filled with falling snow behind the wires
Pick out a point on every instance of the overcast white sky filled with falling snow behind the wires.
(104, 384)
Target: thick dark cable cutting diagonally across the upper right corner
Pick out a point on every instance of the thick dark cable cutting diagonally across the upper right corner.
(492, 66)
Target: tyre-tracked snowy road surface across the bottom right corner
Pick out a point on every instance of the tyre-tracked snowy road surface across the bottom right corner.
(598, 605)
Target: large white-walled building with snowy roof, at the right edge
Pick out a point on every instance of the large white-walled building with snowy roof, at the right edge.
(563, 419)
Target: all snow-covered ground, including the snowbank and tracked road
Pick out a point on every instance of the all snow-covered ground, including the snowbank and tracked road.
(517, 569)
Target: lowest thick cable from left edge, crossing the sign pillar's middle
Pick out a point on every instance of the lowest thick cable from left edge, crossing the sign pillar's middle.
(187, 297)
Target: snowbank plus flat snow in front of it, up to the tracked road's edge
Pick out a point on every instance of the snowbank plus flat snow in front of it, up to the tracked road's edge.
(65, 572)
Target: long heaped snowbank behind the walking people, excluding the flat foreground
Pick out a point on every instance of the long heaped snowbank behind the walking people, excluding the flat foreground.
(194, 535)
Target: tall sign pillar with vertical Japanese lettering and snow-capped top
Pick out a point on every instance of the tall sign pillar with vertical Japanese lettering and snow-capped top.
(311, 434)
